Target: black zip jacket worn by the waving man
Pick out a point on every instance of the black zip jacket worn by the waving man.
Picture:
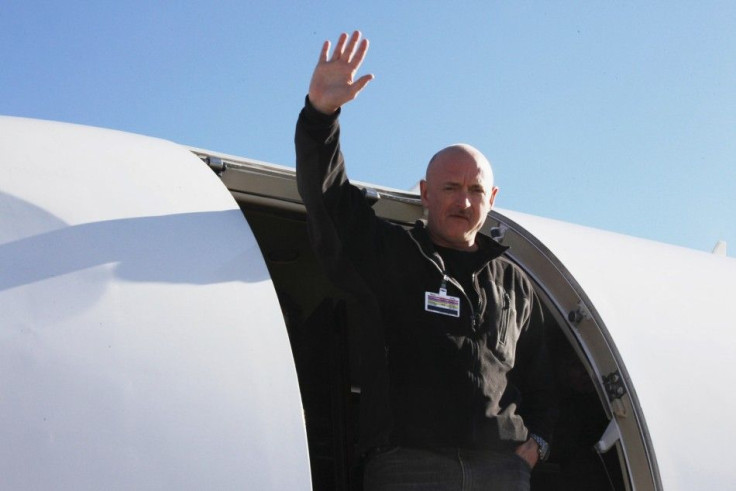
(480, 380)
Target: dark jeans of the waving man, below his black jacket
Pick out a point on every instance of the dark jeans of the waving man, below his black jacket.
(445, 469)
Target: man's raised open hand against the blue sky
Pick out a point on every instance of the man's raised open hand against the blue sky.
(333, 81)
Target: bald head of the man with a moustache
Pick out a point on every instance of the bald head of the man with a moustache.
(458, 194)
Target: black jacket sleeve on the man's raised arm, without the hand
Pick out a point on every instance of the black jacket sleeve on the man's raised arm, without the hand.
(342, 227)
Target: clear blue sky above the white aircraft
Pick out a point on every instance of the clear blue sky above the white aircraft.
(616, 115)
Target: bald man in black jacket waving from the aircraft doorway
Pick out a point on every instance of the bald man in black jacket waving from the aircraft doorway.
(458, 392)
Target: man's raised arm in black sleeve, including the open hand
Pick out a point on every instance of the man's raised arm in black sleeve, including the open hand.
(341, 224)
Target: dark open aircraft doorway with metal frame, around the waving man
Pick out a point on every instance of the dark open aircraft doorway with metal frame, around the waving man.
(598, 406)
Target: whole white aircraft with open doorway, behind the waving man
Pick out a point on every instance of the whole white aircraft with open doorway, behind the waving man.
(164, 326)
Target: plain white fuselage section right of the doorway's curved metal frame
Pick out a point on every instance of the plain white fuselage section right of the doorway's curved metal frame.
(671, 312)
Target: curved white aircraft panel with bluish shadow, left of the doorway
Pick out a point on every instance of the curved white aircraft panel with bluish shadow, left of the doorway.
(141, 340)
